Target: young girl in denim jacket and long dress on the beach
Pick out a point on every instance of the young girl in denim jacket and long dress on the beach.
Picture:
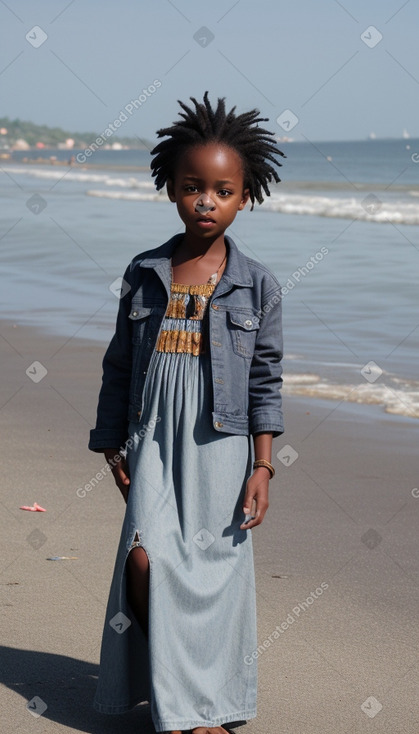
(189, 404)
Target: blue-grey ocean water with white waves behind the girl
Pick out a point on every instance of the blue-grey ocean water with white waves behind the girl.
(341, 233)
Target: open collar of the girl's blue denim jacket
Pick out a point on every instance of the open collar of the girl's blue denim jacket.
(236, 271)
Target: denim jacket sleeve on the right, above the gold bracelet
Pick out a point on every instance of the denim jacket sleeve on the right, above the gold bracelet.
(265, 380)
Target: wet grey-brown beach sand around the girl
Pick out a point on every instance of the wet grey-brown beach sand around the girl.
(336, 558)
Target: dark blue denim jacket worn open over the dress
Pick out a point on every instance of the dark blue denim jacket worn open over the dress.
(245, 339)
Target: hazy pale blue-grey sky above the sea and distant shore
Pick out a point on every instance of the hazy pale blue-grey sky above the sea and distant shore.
(319, 70)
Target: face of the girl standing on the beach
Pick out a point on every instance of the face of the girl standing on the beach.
(208, 189)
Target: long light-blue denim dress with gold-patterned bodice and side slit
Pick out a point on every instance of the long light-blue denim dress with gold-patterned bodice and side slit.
(185, 510)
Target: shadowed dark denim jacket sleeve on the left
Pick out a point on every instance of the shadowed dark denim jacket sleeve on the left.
(111, 429)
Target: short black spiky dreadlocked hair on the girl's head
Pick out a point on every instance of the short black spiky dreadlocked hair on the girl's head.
(255, 145)
